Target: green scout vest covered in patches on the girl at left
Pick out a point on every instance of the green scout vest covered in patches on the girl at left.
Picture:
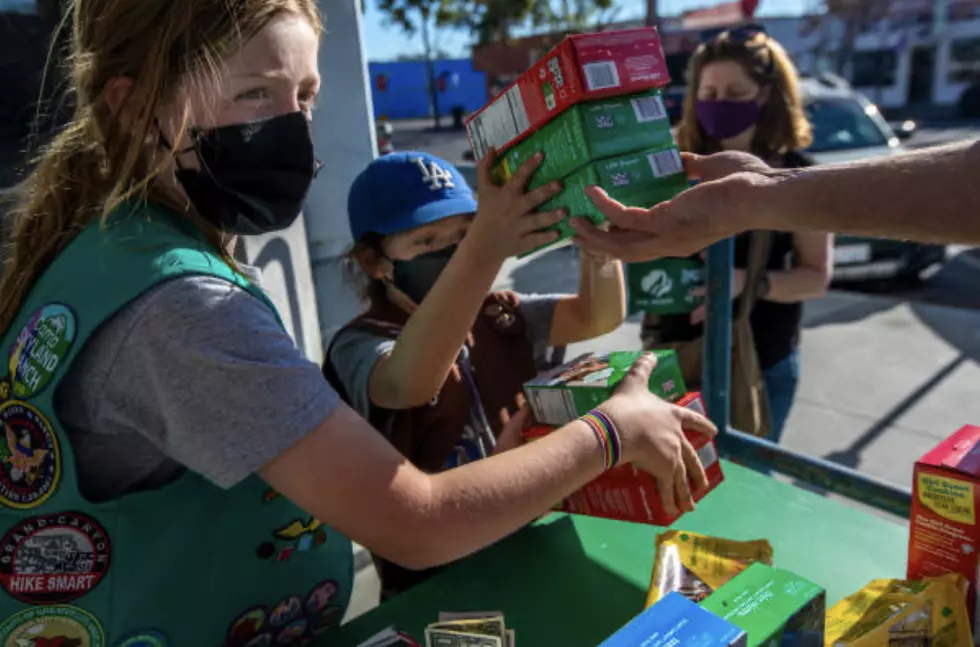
(187, 565)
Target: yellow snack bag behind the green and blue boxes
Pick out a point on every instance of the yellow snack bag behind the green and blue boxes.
(695, 565)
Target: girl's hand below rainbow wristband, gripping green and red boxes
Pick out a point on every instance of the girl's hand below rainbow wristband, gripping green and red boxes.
(652, 434)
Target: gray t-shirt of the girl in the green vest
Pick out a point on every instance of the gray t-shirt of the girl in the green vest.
(197, 374)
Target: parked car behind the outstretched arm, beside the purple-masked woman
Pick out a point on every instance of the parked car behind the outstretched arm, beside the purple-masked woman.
(846, 127)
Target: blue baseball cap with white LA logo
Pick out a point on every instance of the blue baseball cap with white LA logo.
(401, 191)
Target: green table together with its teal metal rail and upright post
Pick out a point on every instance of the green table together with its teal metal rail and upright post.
(571, 581)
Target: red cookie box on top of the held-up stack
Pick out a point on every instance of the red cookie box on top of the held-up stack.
(580, 68)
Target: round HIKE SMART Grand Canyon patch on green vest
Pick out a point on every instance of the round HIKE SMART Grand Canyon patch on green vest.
(53, 558)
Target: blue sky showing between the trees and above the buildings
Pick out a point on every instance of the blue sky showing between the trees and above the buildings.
(385, 42)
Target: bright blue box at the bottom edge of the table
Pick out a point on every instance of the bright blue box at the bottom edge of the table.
(675, 621)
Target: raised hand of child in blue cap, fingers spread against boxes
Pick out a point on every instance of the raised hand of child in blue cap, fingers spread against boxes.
(505, 224)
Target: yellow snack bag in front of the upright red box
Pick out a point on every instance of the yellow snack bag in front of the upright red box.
(902, 613)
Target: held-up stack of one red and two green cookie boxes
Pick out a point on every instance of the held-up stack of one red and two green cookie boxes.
(593, 106)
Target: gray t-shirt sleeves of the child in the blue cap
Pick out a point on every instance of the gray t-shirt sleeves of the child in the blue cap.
(353, 353)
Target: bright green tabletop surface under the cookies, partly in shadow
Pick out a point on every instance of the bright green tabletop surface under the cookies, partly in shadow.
(572, 580)
